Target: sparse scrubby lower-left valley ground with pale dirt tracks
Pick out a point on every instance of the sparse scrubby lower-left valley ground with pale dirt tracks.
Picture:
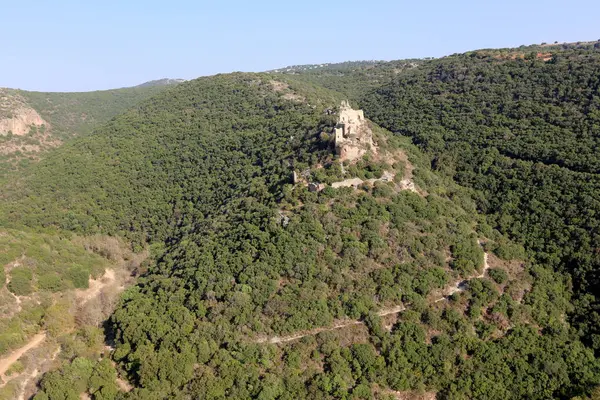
(56, 290)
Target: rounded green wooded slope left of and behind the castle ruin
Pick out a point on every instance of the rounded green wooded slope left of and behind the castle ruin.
(146, 165)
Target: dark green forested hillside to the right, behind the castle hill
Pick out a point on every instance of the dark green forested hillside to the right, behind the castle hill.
(524, 133)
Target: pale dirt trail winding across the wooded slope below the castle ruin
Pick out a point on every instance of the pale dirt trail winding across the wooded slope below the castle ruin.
(456, 287)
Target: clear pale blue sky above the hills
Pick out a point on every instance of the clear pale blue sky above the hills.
(65, 45)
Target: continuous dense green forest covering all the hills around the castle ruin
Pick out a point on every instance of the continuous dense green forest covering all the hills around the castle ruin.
(463, 264)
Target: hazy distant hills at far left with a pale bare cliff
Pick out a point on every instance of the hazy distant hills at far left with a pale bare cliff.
(46, 120)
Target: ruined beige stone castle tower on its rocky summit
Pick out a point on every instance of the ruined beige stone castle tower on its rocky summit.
(353, 136)
